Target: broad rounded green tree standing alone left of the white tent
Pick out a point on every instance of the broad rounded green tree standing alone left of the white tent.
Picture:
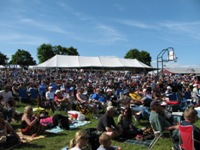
(22, 58)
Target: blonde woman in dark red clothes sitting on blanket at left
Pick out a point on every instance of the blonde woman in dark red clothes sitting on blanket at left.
(30, 124)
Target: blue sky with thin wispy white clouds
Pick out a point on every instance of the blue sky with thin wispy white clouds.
(103, 27)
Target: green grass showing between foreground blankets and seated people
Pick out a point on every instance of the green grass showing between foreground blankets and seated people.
(60, 140)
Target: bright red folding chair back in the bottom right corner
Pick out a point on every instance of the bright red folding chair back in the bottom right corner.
(186, 137)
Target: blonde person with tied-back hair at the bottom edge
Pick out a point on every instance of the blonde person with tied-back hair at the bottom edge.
(79, 141)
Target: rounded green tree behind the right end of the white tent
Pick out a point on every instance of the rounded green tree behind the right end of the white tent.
(142, 56)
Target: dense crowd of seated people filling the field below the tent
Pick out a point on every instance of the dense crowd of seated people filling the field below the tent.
(129, 95)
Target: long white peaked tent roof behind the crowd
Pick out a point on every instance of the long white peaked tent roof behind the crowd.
(66, 61)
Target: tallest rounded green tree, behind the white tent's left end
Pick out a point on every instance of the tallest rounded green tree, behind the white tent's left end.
(45, 52)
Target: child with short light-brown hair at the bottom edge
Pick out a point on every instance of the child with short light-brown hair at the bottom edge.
(105, 143)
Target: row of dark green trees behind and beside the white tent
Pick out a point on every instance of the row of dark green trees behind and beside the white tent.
(46, 51)
